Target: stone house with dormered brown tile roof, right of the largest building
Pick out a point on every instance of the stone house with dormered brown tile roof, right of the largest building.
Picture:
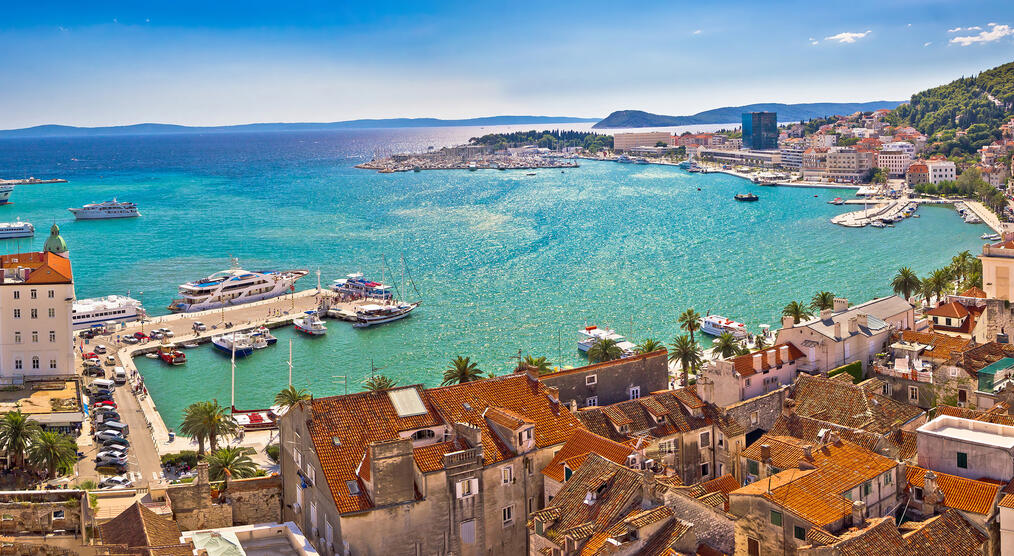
(686, 435)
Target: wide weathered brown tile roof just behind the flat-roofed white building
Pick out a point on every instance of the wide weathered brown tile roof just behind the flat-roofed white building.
(850, 405)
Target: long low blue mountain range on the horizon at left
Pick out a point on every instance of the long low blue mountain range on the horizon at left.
(152, 129)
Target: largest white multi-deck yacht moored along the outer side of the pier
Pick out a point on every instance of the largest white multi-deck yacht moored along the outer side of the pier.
(235, 287)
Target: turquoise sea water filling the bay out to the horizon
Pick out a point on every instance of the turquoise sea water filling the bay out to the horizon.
(504, 261)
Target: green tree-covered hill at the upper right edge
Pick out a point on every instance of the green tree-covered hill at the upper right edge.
(977, 105)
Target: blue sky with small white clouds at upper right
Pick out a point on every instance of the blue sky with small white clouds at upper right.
(216, 63)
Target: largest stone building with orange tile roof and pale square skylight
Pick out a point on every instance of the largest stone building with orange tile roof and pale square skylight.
(440, 471)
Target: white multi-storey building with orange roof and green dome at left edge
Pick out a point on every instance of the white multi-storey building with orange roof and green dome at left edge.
(37, 296)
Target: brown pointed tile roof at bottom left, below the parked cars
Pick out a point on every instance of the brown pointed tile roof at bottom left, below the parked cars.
(141, 529)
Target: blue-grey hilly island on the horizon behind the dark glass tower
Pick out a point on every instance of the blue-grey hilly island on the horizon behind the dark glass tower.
(729, 115)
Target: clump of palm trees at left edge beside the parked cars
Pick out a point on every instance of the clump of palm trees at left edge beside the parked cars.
(23, 440)
